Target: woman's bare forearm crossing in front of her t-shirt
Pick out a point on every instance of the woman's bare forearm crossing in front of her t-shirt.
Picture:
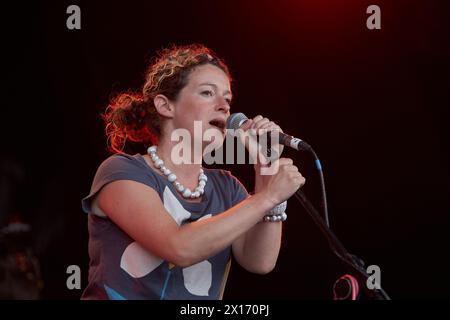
(199, 240)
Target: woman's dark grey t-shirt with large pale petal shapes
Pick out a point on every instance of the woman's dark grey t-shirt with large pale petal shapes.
(120, 268)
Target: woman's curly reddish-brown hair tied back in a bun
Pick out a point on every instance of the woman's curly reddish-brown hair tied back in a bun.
(132, 116)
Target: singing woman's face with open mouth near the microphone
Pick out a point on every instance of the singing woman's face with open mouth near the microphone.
(206, 98)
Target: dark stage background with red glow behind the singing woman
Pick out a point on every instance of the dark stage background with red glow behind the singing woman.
(374, 104)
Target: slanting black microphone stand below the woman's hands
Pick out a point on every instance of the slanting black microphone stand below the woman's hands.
(339, 250)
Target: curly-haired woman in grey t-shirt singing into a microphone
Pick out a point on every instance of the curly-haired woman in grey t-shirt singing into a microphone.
(162, 230)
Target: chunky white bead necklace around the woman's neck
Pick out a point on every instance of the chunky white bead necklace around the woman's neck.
(186, 192)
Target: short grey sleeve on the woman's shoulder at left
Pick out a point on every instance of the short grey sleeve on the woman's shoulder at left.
(116, 167)
